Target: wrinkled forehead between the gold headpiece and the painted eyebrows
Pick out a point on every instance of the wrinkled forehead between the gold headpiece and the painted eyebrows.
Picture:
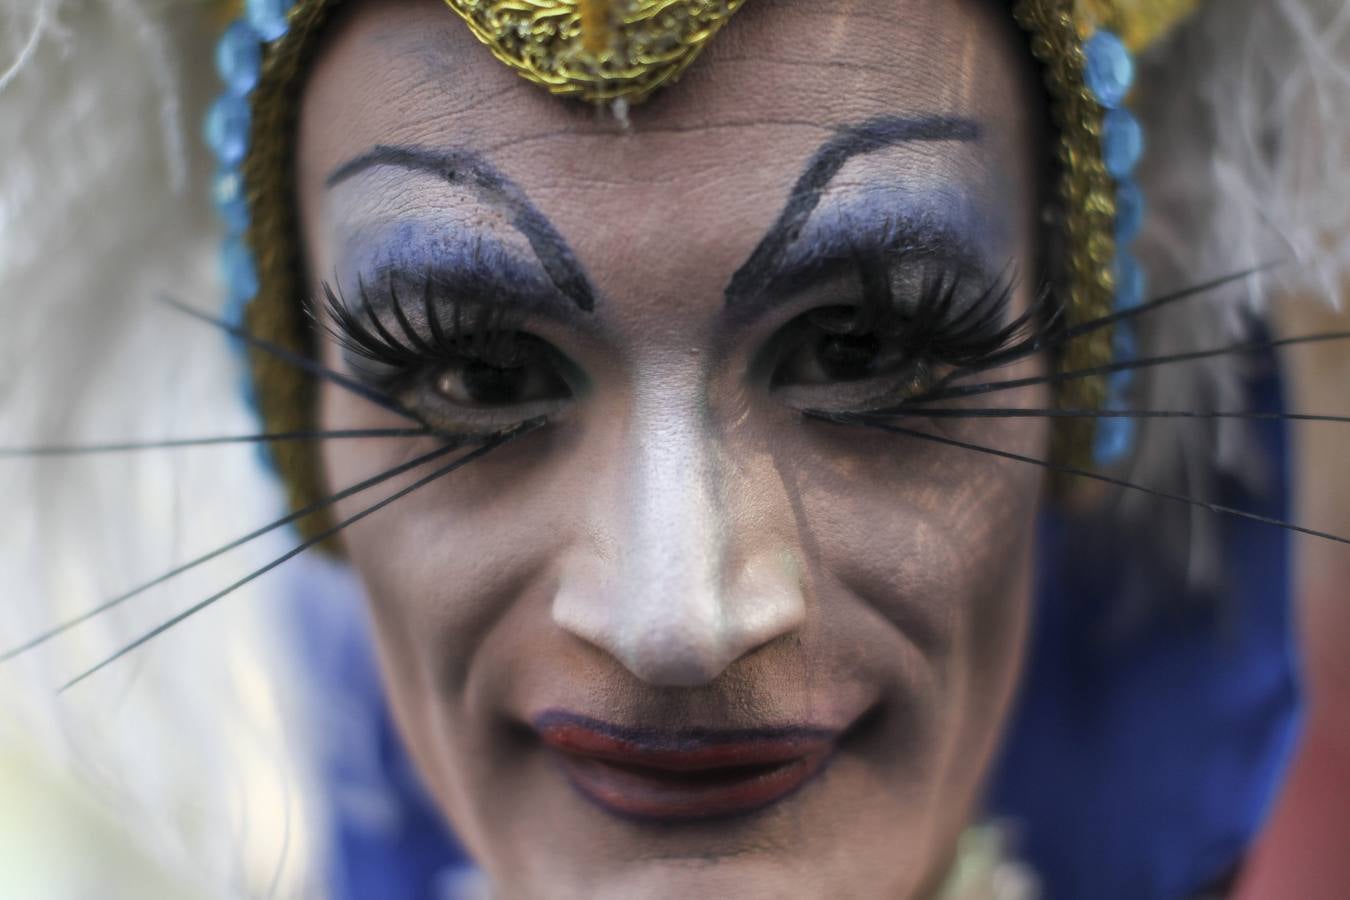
(703, 169)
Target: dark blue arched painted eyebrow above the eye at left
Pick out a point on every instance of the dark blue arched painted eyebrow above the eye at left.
(468, 168)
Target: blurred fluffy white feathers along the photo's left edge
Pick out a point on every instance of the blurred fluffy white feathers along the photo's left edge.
(103, 208)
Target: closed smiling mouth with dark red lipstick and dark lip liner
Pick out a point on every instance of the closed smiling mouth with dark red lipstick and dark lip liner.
(684, 775)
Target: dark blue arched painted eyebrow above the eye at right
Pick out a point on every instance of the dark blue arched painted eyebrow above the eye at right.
(746, 293)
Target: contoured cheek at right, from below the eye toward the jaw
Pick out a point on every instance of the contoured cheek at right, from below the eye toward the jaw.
(935, 547)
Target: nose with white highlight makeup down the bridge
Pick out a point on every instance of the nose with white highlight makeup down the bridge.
(678, 597)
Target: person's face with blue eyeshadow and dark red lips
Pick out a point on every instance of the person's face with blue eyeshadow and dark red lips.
(682, 639)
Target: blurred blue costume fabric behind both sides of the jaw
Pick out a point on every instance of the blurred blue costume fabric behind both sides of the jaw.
(1137, 767)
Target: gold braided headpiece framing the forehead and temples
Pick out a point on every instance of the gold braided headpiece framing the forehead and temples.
(624, 51)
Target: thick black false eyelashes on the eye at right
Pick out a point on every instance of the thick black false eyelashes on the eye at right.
(939, 326)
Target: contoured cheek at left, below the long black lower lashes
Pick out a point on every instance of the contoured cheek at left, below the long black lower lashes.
(442, 565)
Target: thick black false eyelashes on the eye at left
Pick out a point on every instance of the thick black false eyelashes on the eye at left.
(477, 331)
